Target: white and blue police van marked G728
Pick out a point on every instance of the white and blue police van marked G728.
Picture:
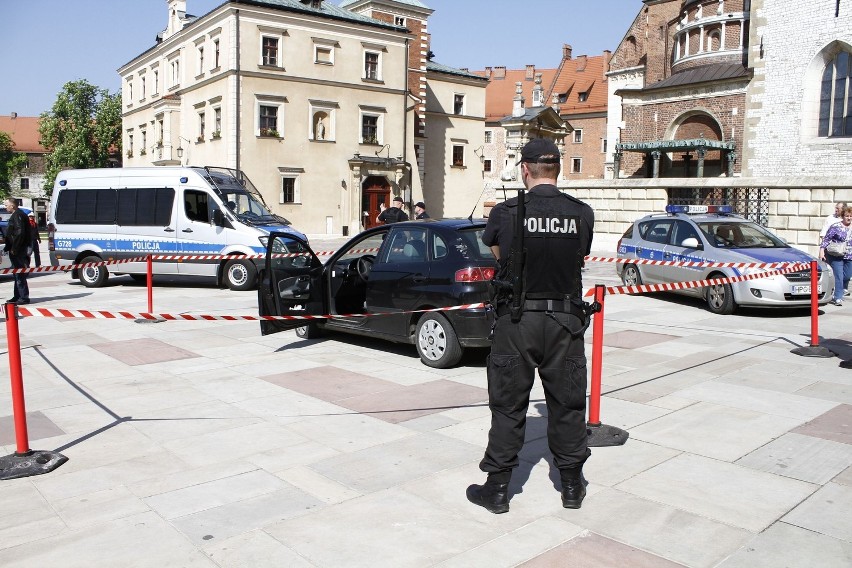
(122, 213)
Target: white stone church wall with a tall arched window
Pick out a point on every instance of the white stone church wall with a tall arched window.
(800, 53)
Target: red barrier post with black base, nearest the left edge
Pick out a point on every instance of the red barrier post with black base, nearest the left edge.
(24, 462)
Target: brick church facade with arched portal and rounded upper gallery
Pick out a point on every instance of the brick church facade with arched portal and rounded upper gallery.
(677, 90)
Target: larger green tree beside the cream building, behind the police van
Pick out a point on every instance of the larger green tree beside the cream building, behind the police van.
(81, 130)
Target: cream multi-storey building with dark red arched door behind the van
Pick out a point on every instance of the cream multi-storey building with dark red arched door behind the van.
(324, 107)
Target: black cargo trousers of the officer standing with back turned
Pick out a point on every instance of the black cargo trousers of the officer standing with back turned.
(537, 341)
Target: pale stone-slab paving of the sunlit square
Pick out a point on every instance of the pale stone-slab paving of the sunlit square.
(206, 444)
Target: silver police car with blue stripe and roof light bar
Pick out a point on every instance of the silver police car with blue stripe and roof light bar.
(715, 234)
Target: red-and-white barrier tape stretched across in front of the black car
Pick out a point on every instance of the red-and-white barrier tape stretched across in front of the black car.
(100, 314)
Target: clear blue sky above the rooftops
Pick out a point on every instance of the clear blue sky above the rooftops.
(46, 43)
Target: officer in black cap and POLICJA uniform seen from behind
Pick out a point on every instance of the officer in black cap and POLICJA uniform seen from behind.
(544, 331)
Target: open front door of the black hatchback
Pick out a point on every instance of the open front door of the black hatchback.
(290, 283)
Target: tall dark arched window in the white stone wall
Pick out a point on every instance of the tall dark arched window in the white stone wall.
(835, 102)
